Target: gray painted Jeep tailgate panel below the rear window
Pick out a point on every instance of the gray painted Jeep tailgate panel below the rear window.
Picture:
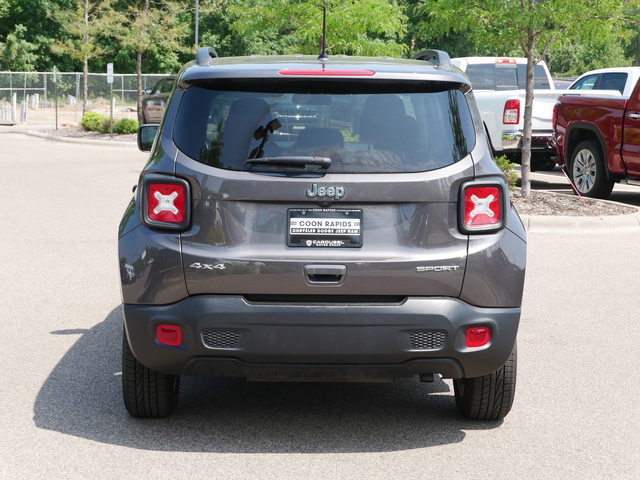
(384, 234)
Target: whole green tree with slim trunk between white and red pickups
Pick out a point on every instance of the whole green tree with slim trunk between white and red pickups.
(532, 26)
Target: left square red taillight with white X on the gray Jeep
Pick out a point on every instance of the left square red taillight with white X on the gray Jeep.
(166, 202)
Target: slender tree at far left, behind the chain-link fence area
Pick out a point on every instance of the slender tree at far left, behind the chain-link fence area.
(86, 23)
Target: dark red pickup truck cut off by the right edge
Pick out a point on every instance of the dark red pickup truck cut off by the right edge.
(598, 140)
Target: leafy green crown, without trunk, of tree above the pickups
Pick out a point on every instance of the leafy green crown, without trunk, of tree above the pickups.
(530, 28)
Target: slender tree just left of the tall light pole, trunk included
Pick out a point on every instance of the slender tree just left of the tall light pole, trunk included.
(147, 25)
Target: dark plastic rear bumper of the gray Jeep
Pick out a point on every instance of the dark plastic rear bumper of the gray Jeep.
(231, 336)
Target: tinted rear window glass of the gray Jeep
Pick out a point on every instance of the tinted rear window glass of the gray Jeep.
(284, 129)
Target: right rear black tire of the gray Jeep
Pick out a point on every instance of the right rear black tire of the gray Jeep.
(489, 397)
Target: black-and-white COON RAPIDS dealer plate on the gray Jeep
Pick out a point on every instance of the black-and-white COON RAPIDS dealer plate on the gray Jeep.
(324, 227)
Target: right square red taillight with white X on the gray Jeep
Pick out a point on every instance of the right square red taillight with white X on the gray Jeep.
(481, 208)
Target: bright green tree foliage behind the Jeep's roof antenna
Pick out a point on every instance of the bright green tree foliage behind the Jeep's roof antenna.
(365, 27)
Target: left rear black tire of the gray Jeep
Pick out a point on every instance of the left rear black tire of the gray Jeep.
(146, 393)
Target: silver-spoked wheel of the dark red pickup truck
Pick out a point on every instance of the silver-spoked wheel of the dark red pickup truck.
(588, 171)
